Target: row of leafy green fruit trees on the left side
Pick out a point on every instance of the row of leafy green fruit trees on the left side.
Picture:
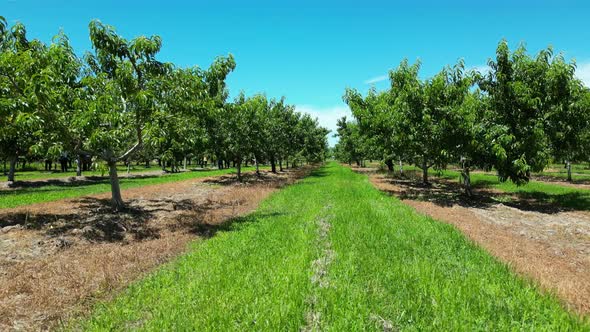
(119, 103)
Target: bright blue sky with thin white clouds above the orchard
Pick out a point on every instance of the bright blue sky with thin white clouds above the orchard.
(309, 51)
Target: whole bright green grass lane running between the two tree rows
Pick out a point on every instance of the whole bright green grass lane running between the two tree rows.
(389, 264)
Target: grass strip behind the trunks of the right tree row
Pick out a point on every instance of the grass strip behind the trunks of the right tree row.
(541, 192)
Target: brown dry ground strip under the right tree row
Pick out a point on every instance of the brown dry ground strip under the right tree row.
(545, 243)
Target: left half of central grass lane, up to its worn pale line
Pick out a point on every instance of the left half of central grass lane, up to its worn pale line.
(253, 275)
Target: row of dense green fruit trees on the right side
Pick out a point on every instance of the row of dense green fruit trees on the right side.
(516, 117)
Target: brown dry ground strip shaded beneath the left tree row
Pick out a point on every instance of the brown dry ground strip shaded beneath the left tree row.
(58, 258)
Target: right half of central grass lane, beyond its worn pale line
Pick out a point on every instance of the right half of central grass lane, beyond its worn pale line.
(394, 266)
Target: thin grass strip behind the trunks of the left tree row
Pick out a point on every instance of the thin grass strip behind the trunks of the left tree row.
(26, 196)
